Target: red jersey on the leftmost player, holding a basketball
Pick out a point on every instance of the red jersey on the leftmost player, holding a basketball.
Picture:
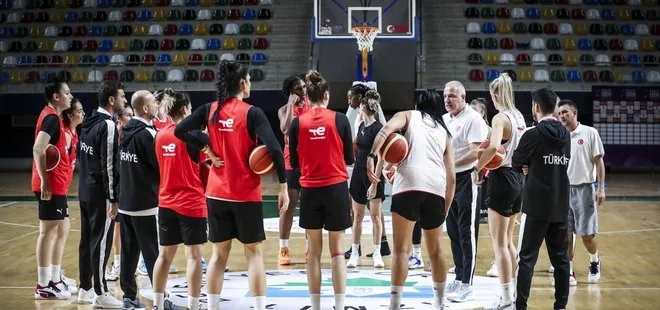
(58, 178)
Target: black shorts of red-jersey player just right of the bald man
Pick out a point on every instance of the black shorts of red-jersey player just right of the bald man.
(175, 228)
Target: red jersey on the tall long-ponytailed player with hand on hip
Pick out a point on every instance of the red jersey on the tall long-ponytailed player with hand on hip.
(231, 141)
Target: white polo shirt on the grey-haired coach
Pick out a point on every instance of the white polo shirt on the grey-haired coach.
(466, 127)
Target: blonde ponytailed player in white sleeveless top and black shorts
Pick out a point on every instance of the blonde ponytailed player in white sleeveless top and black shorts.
(503, 197)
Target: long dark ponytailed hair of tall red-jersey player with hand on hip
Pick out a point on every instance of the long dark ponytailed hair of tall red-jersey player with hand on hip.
(229, 82)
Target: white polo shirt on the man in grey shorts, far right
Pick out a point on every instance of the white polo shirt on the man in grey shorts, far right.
(585, 145)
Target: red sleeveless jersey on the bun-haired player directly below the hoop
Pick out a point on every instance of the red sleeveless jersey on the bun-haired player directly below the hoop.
(320, 149)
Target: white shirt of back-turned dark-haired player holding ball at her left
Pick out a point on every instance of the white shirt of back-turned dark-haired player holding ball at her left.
(424, 168)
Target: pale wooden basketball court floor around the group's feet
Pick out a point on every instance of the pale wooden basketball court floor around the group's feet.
(629, 234)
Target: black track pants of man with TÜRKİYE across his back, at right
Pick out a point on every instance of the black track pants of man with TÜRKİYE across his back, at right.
(532, 233)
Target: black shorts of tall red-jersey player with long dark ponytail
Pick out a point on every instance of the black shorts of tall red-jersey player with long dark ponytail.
(231, 219)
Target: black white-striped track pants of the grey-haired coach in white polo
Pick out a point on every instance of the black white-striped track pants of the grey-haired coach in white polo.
(463, 227)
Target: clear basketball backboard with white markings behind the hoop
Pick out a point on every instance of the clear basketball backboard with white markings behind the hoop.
(334, 19)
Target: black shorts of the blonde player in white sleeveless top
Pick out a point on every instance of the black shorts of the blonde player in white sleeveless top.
(504, 192)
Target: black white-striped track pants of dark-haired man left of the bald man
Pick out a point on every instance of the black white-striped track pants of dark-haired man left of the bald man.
(95, 245)
